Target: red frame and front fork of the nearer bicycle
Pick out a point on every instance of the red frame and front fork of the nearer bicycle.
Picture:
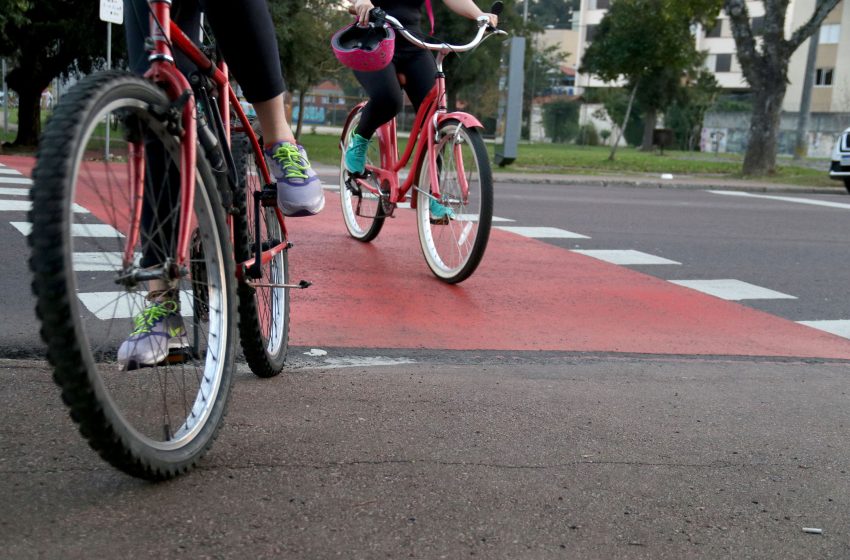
(163, 71)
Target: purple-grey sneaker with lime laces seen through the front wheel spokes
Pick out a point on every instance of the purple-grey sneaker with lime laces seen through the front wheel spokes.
(159, 337)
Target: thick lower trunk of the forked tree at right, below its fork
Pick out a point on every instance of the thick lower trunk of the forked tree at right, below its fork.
(760, 158)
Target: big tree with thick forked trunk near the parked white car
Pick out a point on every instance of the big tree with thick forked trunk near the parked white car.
(765, 67)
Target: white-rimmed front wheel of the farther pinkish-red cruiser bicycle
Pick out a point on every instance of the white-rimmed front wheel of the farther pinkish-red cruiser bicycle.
(454, 228)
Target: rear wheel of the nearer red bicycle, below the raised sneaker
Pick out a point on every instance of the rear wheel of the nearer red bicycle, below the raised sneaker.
(263, 310)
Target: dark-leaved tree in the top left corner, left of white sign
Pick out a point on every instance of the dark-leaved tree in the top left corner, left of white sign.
(44, 41)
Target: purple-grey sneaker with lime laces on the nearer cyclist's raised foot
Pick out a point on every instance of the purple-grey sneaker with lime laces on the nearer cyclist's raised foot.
(299, 190)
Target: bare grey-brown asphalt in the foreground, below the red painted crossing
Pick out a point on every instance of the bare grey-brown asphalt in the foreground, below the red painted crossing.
(487, 455)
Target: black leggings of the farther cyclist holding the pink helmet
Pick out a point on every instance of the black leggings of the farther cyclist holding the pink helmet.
(384, 90)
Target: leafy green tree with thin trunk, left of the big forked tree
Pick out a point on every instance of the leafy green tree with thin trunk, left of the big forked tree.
(648, 43)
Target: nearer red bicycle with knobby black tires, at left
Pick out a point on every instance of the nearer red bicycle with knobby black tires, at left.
(181, 187)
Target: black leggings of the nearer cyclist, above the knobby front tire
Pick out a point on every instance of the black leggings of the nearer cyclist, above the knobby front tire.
(244, 33)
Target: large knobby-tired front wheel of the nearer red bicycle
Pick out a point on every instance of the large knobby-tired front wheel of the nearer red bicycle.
(146, 437)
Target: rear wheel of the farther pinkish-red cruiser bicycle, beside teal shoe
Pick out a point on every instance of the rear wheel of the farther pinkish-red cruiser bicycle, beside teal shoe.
(361, 208)
